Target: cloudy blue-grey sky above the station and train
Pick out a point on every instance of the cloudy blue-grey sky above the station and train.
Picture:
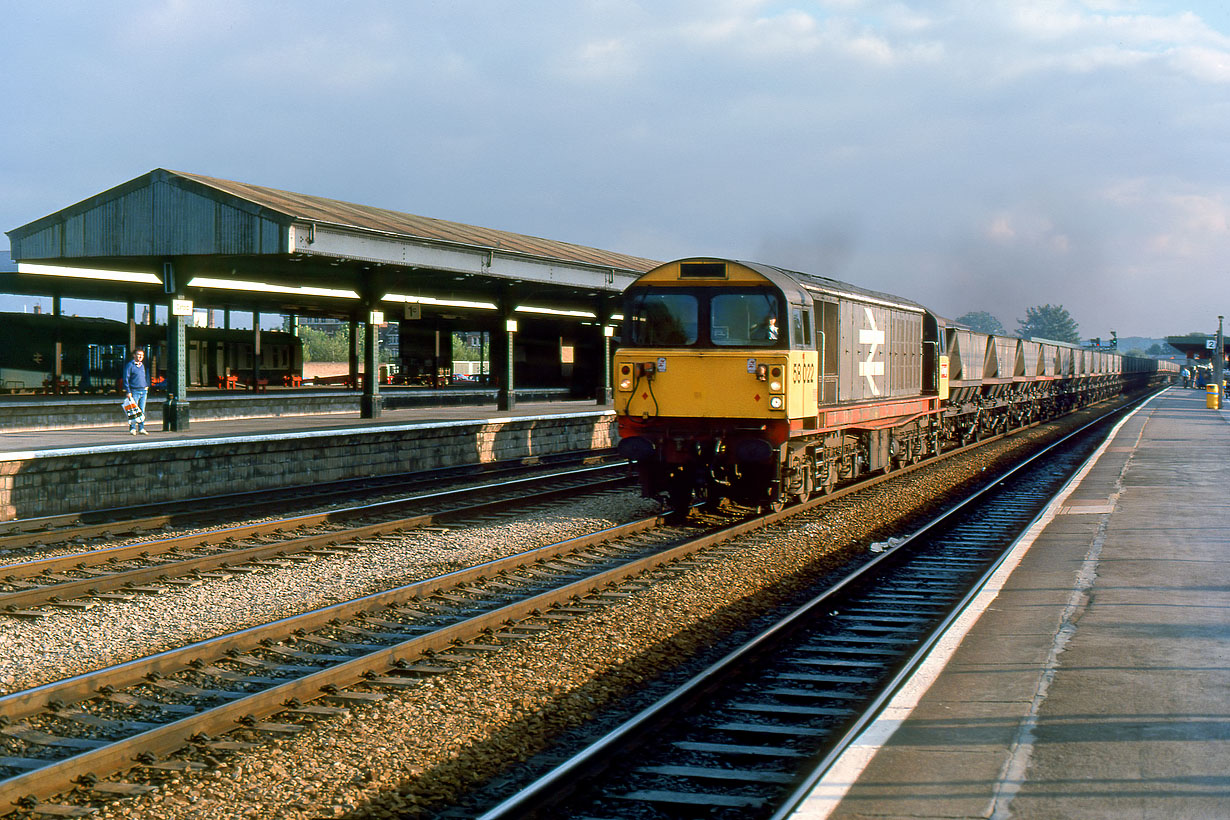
(972, 156)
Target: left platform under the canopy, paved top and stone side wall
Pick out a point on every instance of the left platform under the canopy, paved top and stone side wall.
(47, 473)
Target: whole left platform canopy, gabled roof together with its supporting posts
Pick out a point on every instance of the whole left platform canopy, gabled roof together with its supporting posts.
(543, 312)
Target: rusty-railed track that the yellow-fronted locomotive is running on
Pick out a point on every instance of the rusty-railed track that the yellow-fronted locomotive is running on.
(181, 709)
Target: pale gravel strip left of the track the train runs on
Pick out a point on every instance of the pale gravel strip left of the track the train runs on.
(67, 644)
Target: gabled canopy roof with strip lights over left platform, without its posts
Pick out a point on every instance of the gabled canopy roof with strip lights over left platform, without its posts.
(232, 245)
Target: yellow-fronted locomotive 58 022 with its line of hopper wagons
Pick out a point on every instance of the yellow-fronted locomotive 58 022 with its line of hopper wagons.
(762, 385)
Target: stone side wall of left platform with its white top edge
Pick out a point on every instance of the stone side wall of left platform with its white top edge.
(93, 479)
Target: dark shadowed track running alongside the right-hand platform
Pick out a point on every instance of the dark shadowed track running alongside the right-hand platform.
(747, 737)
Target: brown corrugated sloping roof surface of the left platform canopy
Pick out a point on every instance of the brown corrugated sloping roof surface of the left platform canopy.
(367, 218)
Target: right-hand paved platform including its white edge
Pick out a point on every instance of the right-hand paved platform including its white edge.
(1093, 678)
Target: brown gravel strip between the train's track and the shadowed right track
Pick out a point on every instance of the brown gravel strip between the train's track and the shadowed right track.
(423, 751)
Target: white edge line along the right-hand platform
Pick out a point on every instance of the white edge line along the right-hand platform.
(846, 771)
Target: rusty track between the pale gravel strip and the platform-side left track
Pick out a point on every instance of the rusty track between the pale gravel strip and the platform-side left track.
(81, 581)
